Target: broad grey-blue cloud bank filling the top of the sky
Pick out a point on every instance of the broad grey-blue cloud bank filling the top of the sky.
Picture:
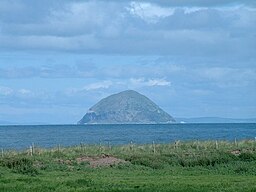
(150, 27)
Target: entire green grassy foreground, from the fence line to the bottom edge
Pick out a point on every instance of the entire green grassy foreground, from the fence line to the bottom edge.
(179, 166)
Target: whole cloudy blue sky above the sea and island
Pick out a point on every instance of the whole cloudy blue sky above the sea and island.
(194, 58)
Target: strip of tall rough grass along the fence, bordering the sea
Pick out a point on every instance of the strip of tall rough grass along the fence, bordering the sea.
(185, 154)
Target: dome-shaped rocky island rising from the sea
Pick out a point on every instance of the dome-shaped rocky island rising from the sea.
(127, 107)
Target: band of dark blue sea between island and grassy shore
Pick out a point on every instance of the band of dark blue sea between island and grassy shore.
(20, 137)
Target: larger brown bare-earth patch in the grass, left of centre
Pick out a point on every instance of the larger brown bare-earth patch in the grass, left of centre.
(103, 160)
